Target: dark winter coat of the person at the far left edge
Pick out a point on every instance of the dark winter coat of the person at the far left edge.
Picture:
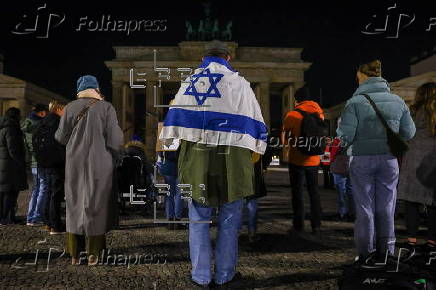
(12, 156)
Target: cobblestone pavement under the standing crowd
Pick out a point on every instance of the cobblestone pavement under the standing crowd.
(277, 261)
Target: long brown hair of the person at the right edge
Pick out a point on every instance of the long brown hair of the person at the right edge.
(425, 98)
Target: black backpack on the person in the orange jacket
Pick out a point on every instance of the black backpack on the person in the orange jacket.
(314, 131)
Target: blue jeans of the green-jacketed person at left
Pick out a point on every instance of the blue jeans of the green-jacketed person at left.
(38, 199)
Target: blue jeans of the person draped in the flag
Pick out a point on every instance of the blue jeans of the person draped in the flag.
(226, 251)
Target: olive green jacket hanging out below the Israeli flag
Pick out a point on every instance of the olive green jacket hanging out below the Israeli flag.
(217, 174)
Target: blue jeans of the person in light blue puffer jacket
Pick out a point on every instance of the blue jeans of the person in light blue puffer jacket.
(374, 179)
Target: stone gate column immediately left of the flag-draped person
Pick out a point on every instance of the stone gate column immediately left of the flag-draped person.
(151, 120)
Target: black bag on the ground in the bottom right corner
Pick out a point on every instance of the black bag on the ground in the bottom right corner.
(358, 279)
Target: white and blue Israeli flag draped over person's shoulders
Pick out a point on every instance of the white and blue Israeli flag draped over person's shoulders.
(216, 106)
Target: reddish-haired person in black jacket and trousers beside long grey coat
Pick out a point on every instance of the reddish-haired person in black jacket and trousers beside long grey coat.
(50, 157)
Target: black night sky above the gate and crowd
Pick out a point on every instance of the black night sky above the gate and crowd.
(330, 34)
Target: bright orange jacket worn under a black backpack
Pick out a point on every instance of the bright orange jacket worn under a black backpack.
(292, 124)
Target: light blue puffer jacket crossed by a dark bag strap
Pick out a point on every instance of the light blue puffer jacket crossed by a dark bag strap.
(360, 125)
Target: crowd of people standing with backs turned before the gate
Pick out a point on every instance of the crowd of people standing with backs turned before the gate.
(72, 150)
